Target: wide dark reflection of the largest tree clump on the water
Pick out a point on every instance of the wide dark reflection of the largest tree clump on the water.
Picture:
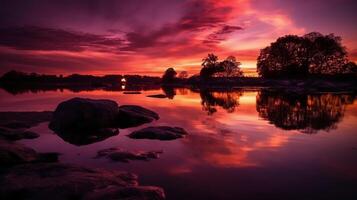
(306, 112)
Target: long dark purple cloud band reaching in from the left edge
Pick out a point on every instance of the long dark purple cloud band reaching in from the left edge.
(39, 38)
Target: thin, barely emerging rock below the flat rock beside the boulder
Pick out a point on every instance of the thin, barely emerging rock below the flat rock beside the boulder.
(124, 156)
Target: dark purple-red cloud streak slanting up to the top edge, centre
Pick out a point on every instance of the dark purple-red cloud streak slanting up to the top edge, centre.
(198, 16)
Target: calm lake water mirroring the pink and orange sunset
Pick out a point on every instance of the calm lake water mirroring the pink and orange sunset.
(242, 144)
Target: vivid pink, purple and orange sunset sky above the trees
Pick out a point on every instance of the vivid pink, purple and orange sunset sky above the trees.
(145, 37)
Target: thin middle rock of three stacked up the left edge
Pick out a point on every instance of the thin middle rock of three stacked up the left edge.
(10, 134)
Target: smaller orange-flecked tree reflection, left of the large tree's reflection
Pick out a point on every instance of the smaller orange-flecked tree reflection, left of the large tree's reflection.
(227, 100)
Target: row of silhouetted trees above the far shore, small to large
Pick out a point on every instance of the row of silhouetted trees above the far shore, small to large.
(291, 56)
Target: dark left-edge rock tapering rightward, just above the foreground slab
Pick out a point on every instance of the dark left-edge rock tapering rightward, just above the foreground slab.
(14, 154)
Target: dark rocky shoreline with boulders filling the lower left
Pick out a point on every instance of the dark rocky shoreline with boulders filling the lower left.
(28, 174)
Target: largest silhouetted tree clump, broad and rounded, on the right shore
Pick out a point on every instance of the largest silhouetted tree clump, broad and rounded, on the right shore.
(312, 54)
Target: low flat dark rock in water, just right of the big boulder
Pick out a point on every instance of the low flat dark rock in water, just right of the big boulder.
(159, 133)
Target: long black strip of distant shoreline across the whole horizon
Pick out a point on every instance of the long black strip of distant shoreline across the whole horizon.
(21, 82)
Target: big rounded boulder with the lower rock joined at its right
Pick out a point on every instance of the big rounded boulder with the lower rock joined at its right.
(81, 115)
